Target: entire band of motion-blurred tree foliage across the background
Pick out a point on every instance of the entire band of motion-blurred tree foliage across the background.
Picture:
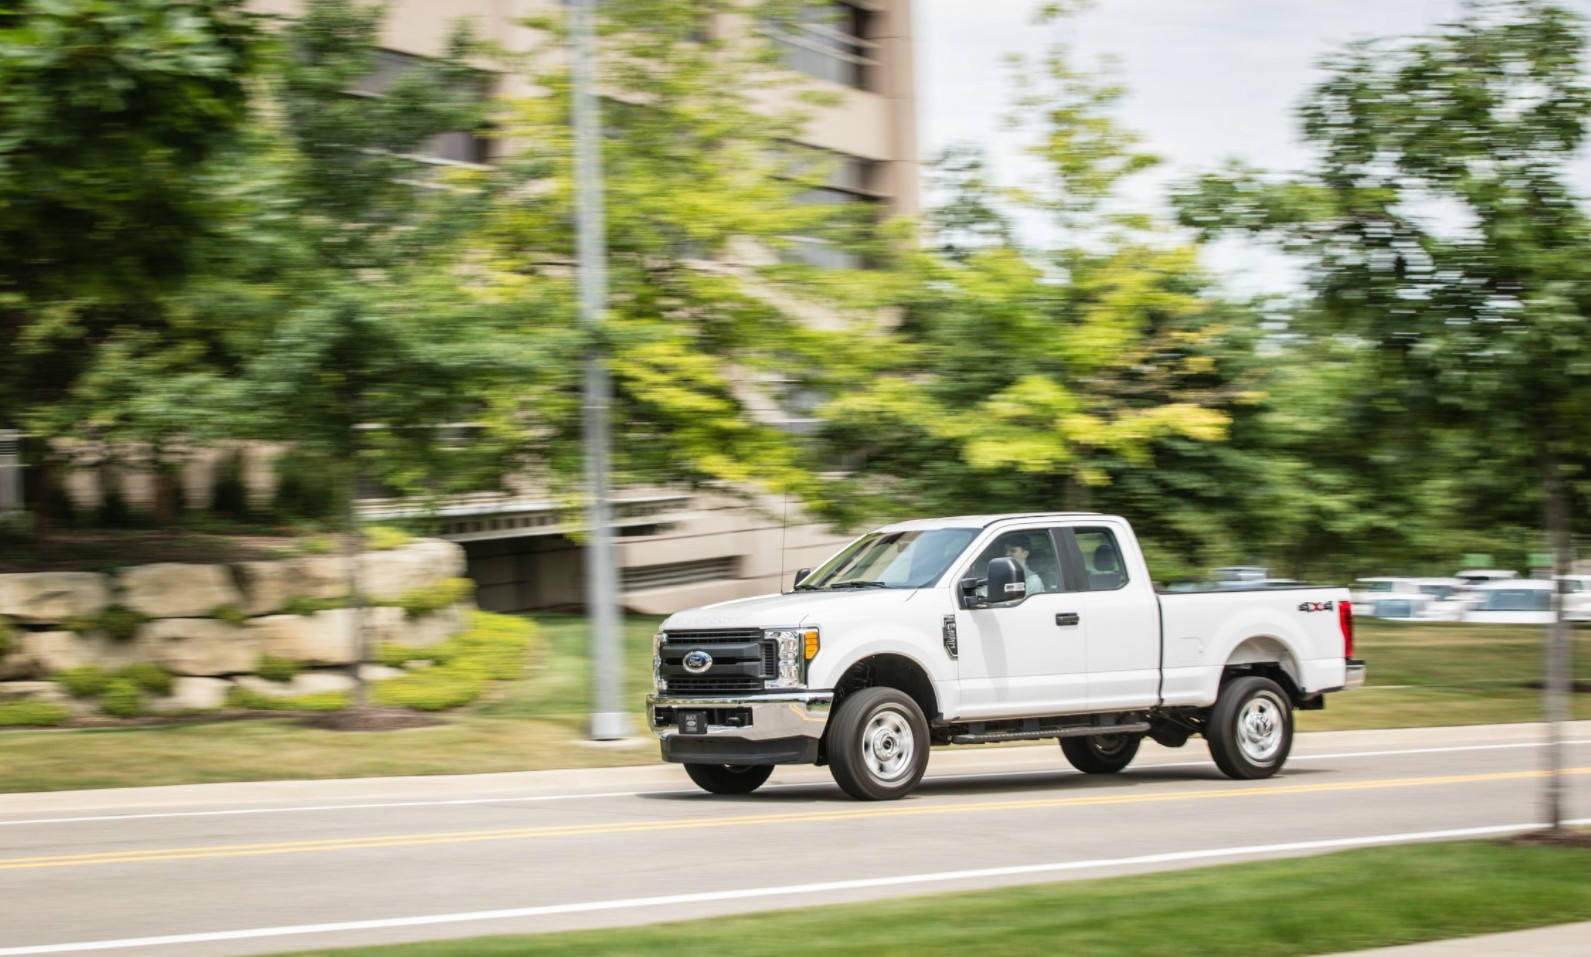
(214, 228)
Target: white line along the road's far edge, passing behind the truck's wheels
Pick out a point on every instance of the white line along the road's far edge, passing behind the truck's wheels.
(691, 791)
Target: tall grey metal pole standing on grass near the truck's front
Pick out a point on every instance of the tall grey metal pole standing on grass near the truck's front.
(602, 594)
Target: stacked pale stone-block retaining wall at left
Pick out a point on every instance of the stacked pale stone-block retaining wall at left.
(212, 624)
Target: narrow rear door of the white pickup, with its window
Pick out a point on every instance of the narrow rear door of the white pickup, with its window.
(1121, 619)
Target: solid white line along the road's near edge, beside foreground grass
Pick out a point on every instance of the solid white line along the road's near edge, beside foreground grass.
(758, 893)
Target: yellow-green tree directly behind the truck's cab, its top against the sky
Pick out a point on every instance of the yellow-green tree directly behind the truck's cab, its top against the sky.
(1038, 378)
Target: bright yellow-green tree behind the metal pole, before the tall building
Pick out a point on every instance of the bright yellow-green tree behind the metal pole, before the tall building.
(714, 311)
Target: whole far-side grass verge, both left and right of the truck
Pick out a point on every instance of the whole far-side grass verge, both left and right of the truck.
(1460, 675)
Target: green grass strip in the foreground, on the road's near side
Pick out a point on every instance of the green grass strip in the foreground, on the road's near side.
(1315, 905)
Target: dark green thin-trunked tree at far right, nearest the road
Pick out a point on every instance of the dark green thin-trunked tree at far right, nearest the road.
(1444, 236)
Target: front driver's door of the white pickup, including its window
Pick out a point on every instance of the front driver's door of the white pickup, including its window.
(1024, 657)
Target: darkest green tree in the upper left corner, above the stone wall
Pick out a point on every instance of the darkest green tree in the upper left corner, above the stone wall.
(114, 117)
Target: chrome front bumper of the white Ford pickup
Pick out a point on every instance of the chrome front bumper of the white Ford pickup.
(780, 729)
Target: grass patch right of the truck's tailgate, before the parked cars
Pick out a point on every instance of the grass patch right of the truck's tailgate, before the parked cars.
(1453, 675)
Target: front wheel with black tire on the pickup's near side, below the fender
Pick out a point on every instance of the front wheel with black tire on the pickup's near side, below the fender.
(877, 745)
